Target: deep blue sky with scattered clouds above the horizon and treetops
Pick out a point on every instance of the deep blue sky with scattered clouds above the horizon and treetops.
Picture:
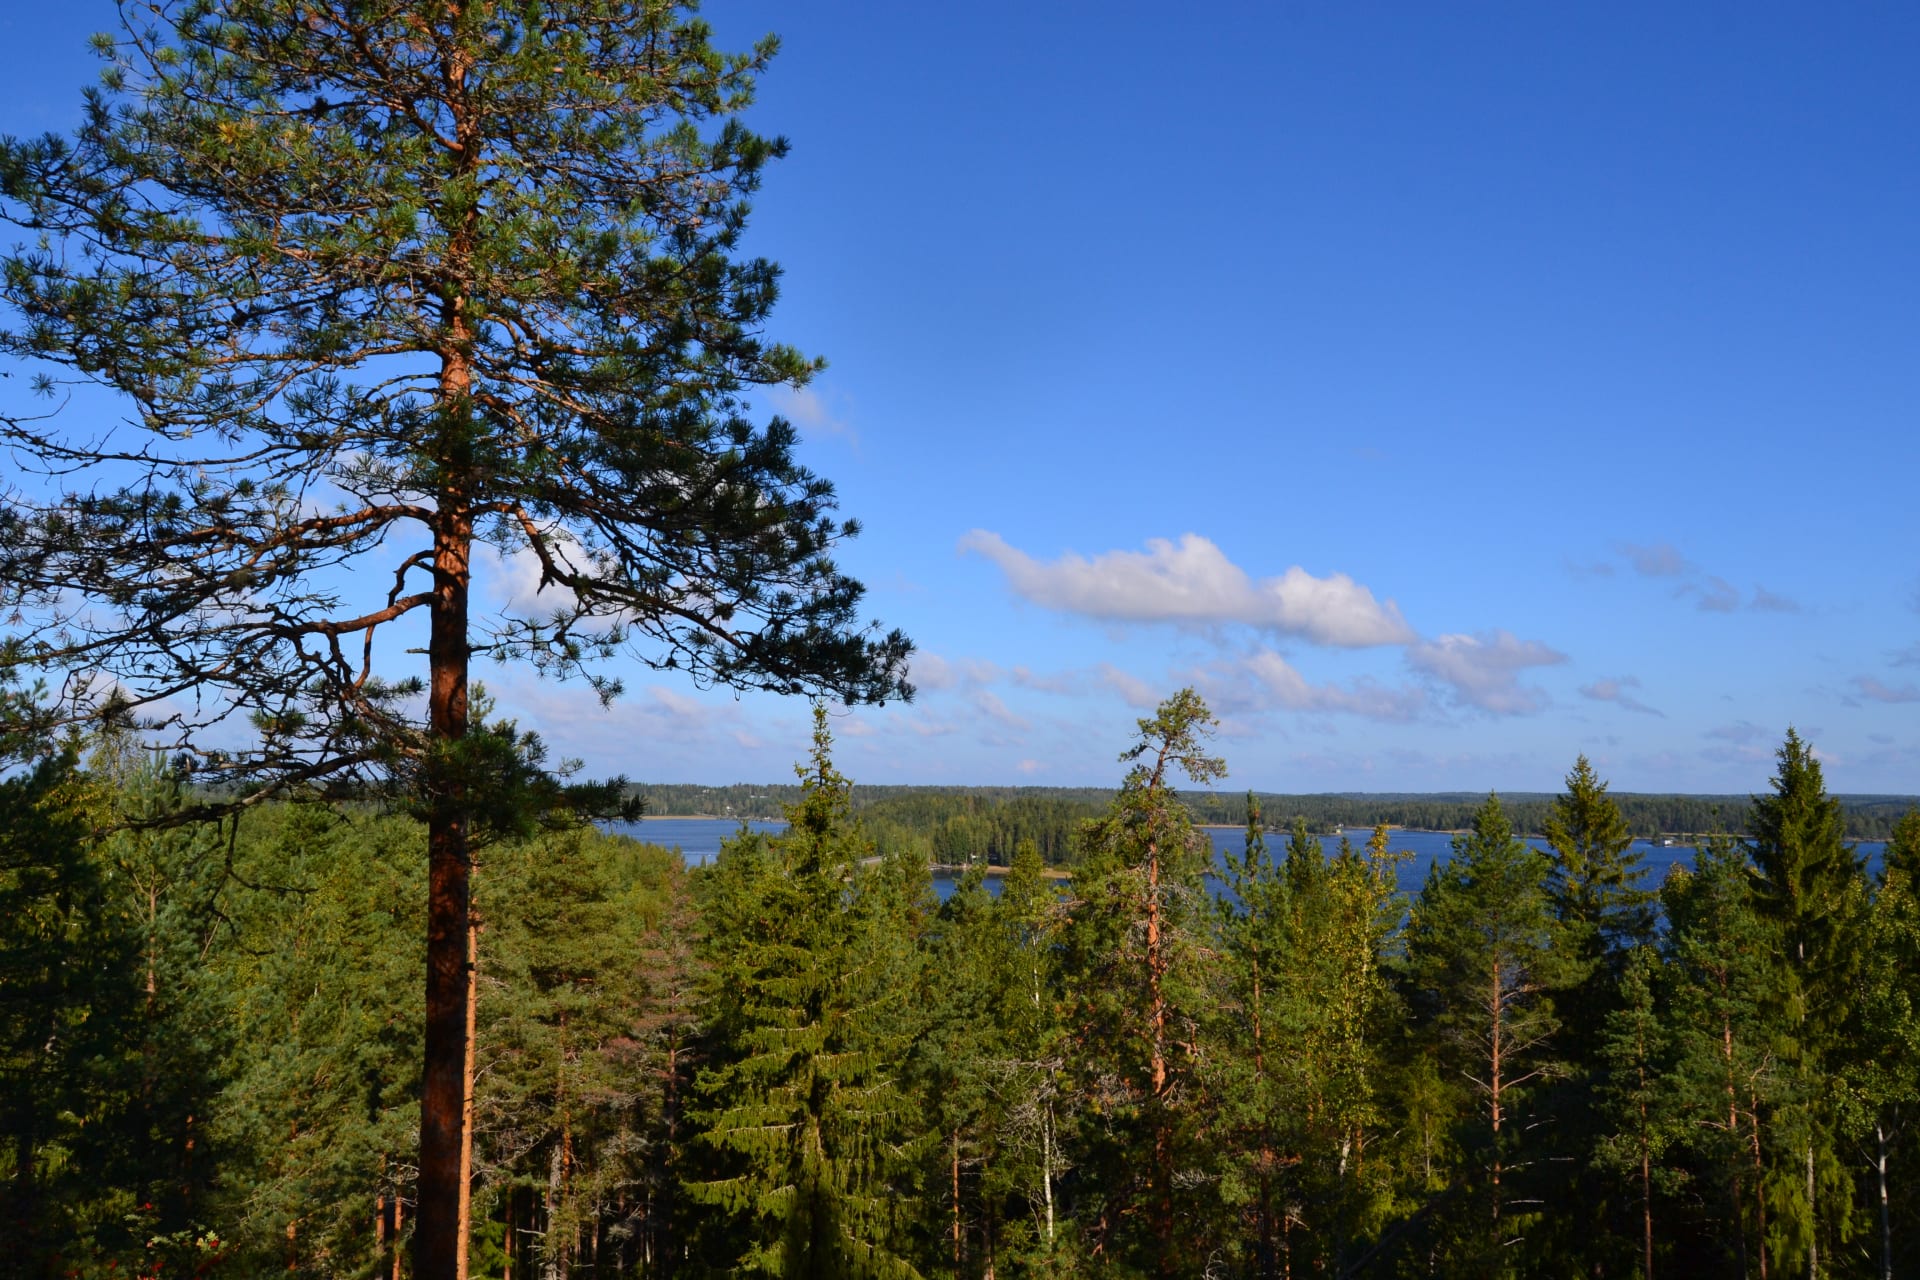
(1441, 391)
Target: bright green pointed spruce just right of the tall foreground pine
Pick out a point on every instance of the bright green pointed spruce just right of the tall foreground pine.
(813, 1012)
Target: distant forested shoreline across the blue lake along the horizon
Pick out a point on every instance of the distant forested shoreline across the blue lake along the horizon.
(959, 824)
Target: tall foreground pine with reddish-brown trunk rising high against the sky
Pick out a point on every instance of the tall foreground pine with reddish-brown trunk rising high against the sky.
(425, 279)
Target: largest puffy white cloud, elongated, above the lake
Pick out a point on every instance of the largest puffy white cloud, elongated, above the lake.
(1193, 582)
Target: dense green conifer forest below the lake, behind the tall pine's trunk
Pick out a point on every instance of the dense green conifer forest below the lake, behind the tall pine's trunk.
(798, 1062)
